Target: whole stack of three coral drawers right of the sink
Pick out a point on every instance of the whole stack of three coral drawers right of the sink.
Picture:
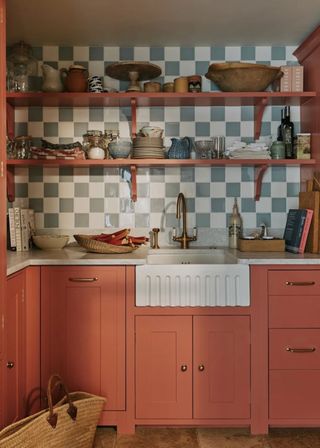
(294, 341)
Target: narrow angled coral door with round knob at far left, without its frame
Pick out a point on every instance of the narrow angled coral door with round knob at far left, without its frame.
(14, 327)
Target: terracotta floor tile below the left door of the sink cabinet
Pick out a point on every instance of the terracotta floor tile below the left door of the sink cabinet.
(159, 438)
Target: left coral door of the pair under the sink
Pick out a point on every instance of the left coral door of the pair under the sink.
(163, 367)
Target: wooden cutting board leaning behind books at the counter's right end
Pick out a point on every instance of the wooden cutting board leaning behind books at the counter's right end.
(311, 200)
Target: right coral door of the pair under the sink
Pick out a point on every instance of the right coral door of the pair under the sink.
(221, 366)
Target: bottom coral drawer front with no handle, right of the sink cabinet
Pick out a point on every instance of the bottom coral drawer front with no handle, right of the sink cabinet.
(294, 394)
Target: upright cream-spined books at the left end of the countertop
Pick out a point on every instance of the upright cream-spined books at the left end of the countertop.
(21, 227)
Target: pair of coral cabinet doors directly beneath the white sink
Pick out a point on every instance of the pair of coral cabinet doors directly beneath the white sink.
(192, 367)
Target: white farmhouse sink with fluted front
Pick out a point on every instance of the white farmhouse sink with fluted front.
(192, 277)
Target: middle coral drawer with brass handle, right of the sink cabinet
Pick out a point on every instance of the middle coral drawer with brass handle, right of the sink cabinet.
(294, 349)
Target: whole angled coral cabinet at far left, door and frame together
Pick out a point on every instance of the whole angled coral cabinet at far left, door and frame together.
(22, 325)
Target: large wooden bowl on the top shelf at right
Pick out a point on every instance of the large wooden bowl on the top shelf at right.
(243, 77)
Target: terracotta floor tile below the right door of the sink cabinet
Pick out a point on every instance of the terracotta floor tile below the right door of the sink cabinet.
(230, 438)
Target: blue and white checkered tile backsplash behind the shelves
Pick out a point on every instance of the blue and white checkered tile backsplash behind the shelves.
(68, 198)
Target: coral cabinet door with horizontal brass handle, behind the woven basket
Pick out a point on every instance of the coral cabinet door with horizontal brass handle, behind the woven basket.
(83, 330)
